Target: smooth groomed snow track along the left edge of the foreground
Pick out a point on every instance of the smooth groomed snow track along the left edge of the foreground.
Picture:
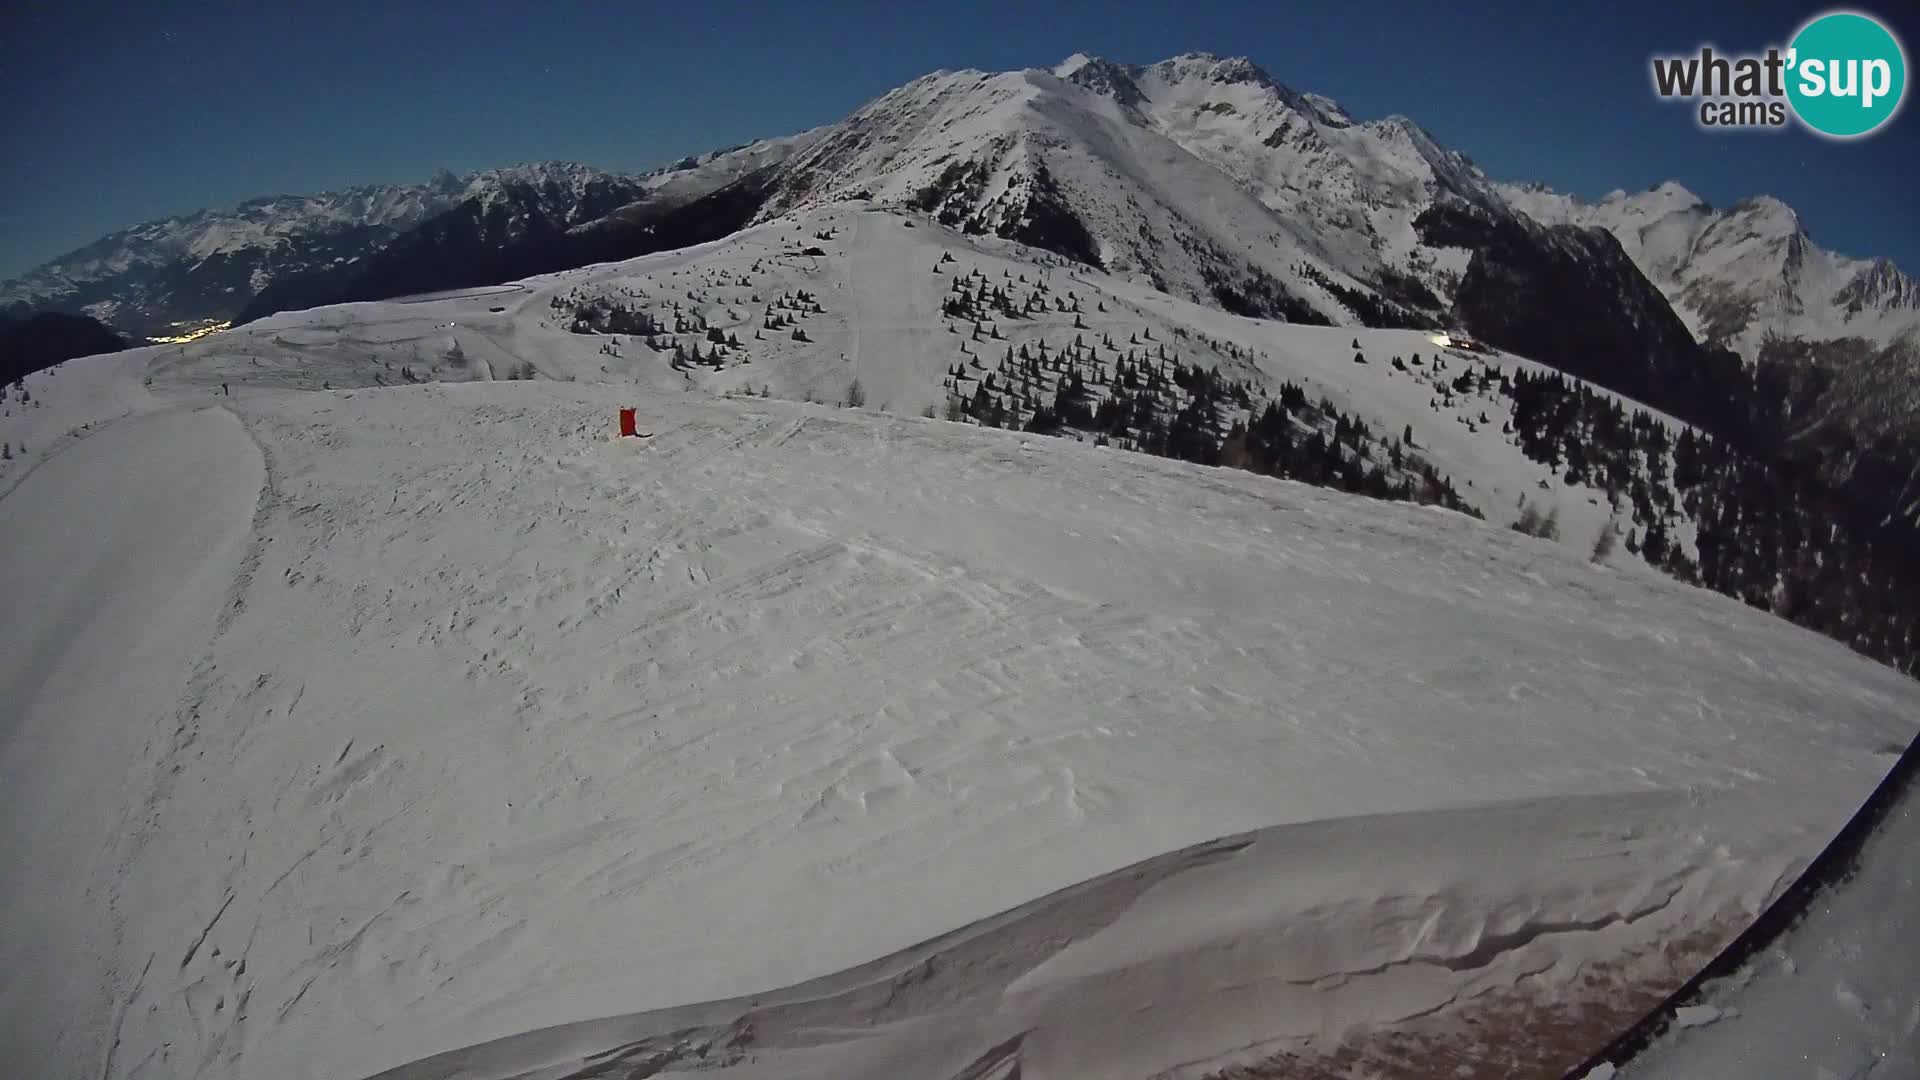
(116, 562)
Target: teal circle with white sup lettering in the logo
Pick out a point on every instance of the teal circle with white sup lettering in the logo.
(1846, 74)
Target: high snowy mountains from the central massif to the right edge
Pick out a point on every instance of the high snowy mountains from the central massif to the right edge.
(1212, 180)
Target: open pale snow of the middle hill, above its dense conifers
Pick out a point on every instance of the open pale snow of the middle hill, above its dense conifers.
(882, 282)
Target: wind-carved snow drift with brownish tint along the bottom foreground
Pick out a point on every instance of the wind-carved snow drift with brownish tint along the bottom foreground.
(1272, 937)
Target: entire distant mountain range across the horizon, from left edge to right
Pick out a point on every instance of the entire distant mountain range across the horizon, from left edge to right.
(1201, 176)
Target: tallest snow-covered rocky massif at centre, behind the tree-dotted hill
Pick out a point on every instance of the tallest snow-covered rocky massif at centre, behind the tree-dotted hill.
(1201, 176)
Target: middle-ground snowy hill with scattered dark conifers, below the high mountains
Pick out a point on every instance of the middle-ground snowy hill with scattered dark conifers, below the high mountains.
(930, 320)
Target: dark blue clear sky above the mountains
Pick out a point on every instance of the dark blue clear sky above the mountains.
(116, 112)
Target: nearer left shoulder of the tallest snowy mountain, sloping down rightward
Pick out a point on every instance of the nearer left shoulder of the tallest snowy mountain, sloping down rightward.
(1044, 159)
